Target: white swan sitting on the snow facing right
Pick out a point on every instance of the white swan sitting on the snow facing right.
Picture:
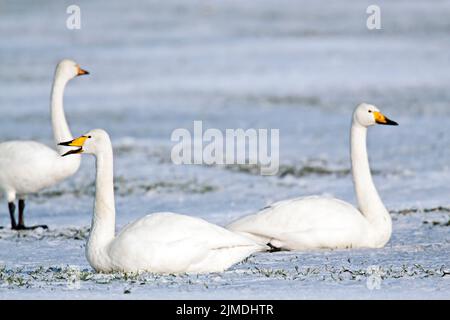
(315, 222)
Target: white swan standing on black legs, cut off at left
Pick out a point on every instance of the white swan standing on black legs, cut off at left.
(27, 166)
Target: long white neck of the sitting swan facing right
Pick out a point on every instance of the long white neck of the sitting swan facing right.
(369, 201)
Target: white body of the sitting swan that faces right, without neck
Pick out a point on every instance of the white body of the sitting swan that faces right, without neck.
(311, 223)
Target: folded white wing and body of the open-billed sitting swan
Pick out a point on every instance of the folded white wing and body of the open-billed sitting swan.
(167, 242)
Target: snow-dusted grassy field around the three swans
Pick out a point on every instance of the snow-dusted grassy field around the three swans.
(300, 66)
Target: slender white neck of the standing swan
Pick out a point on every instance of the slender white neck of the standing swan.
(61, 131)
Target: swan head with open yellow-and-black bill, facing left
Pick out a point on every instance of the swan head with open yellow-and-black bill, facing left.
(92, 142)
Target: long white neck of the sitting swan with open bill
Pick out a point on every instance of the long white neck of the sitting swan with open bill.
(103, 221)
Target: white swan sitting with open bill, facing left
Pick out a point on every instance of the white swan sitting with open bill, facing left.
(161, 242)
